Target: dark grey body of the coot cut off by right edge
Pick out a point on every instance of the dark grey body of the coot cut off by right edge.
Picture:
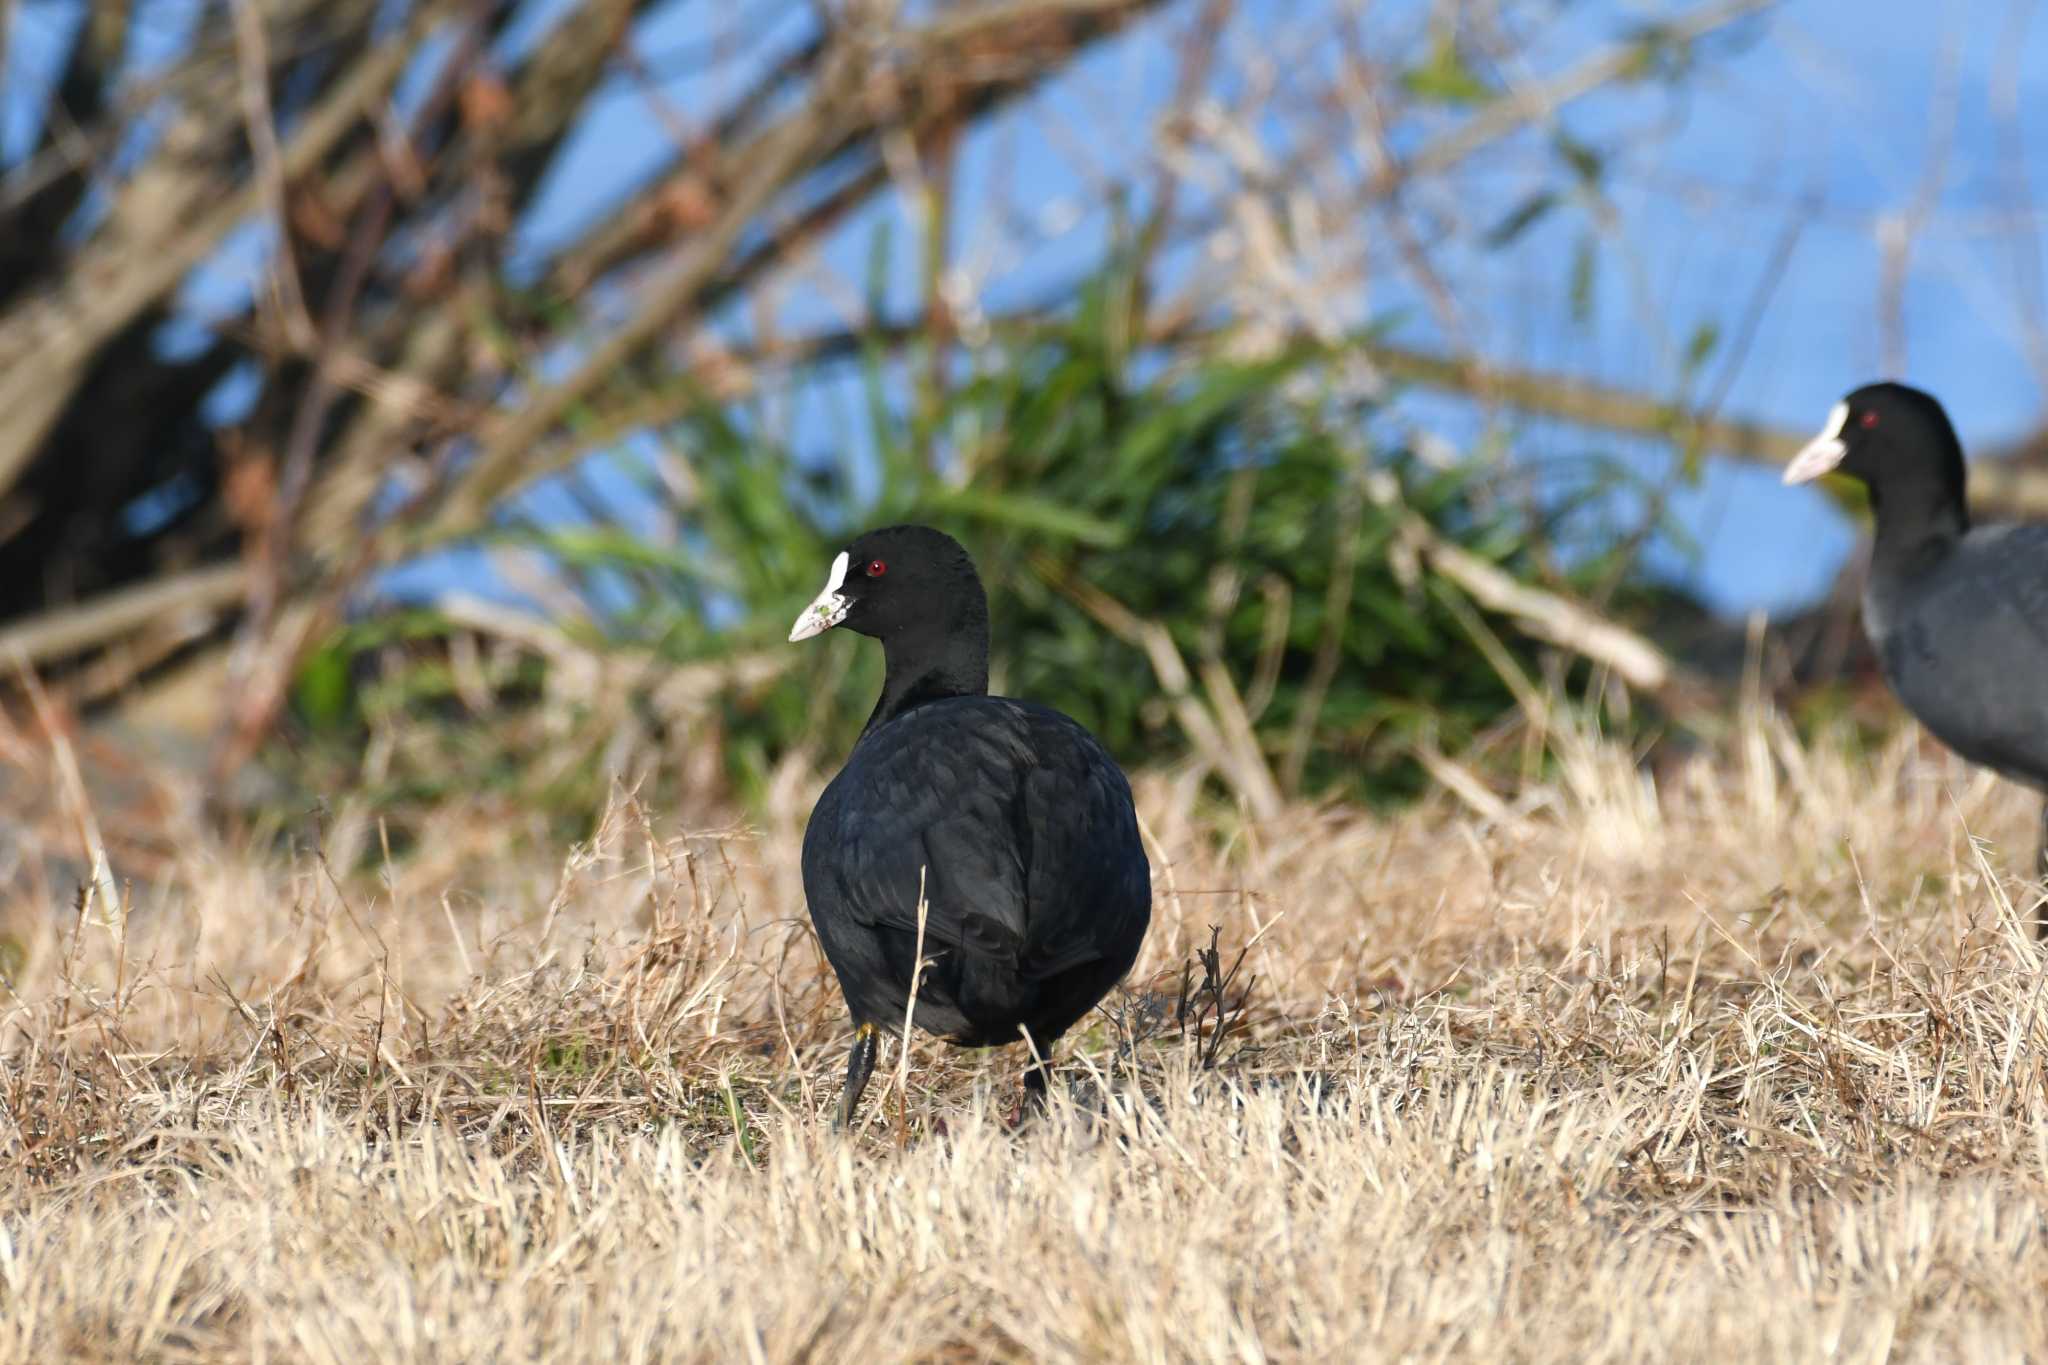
(1969, 652)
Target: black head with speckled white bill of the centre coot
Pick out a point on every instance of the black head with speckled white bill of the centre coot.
(900, 582)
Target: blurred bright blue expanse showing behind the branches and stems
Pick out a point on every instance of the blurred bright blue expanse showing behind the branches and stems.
(1828, 112)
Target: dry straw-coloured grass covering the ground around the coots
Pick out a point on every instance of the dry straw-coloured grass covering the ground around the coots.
(1744, 1065)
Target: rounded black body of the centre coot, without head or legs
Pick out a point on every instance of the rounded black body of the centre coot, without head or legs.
(1035, 885)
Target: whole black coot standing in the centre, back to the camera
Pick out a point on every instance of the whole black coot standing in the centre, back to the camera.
(1011, 818)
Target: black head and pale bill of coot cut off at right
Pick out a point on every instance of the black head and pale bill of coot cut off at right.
(1897, 441)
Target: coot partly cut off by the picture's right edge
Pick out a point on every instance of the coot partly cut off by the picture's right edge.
(1959, 617)
